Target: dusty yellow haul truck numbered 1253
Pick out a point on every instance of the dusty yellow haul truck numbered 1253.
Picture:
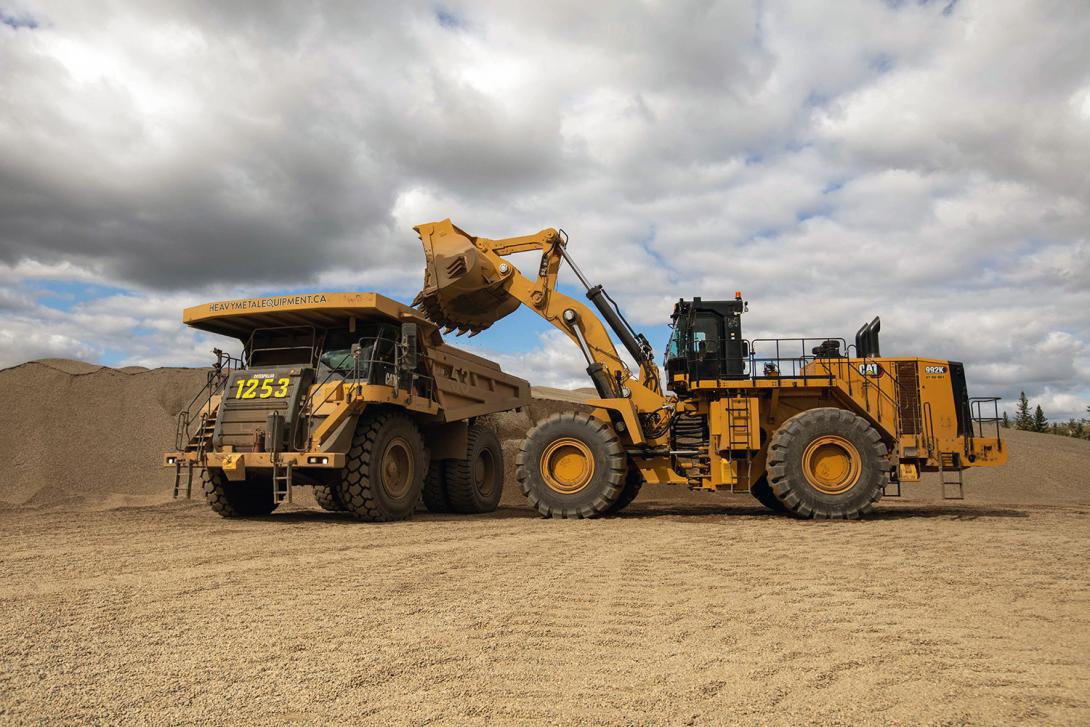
(354, 395)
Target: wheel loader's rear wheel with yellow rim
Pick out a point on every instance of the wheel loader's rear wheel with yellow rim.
(828, 464)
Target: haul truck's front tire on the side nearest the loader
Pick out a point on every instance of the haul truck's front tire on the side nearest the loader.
(385, 469)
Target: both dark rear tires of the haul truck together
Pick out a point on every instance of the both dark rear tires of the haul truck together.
(473, 484)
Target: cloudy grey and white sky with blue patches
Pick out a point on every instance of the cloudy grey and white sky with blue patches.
(924, 162)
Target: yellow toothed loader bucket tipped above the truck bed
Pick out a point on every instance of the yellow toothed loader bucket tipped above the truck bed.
(463, 289)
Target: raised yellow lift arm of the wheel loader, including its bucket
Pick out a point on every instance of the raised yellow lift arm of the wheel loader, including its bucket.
(469, 285)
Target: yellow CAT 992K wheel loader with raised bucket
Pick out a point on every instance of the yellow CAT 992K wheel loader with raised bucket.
(815, 428)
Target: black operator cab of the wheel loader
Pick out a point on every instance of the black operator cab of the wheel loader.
(707, 342)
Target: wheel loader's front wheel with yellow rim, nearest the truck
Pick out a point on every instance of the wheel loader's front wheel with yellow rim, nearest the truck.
(572, 466)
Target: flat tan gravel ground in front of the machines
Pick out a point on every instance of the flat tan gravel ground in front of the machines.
(686, 610)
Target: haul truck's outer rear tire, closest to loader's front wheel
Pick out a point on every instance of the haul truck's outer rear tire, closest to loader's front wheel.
(476, 484)
